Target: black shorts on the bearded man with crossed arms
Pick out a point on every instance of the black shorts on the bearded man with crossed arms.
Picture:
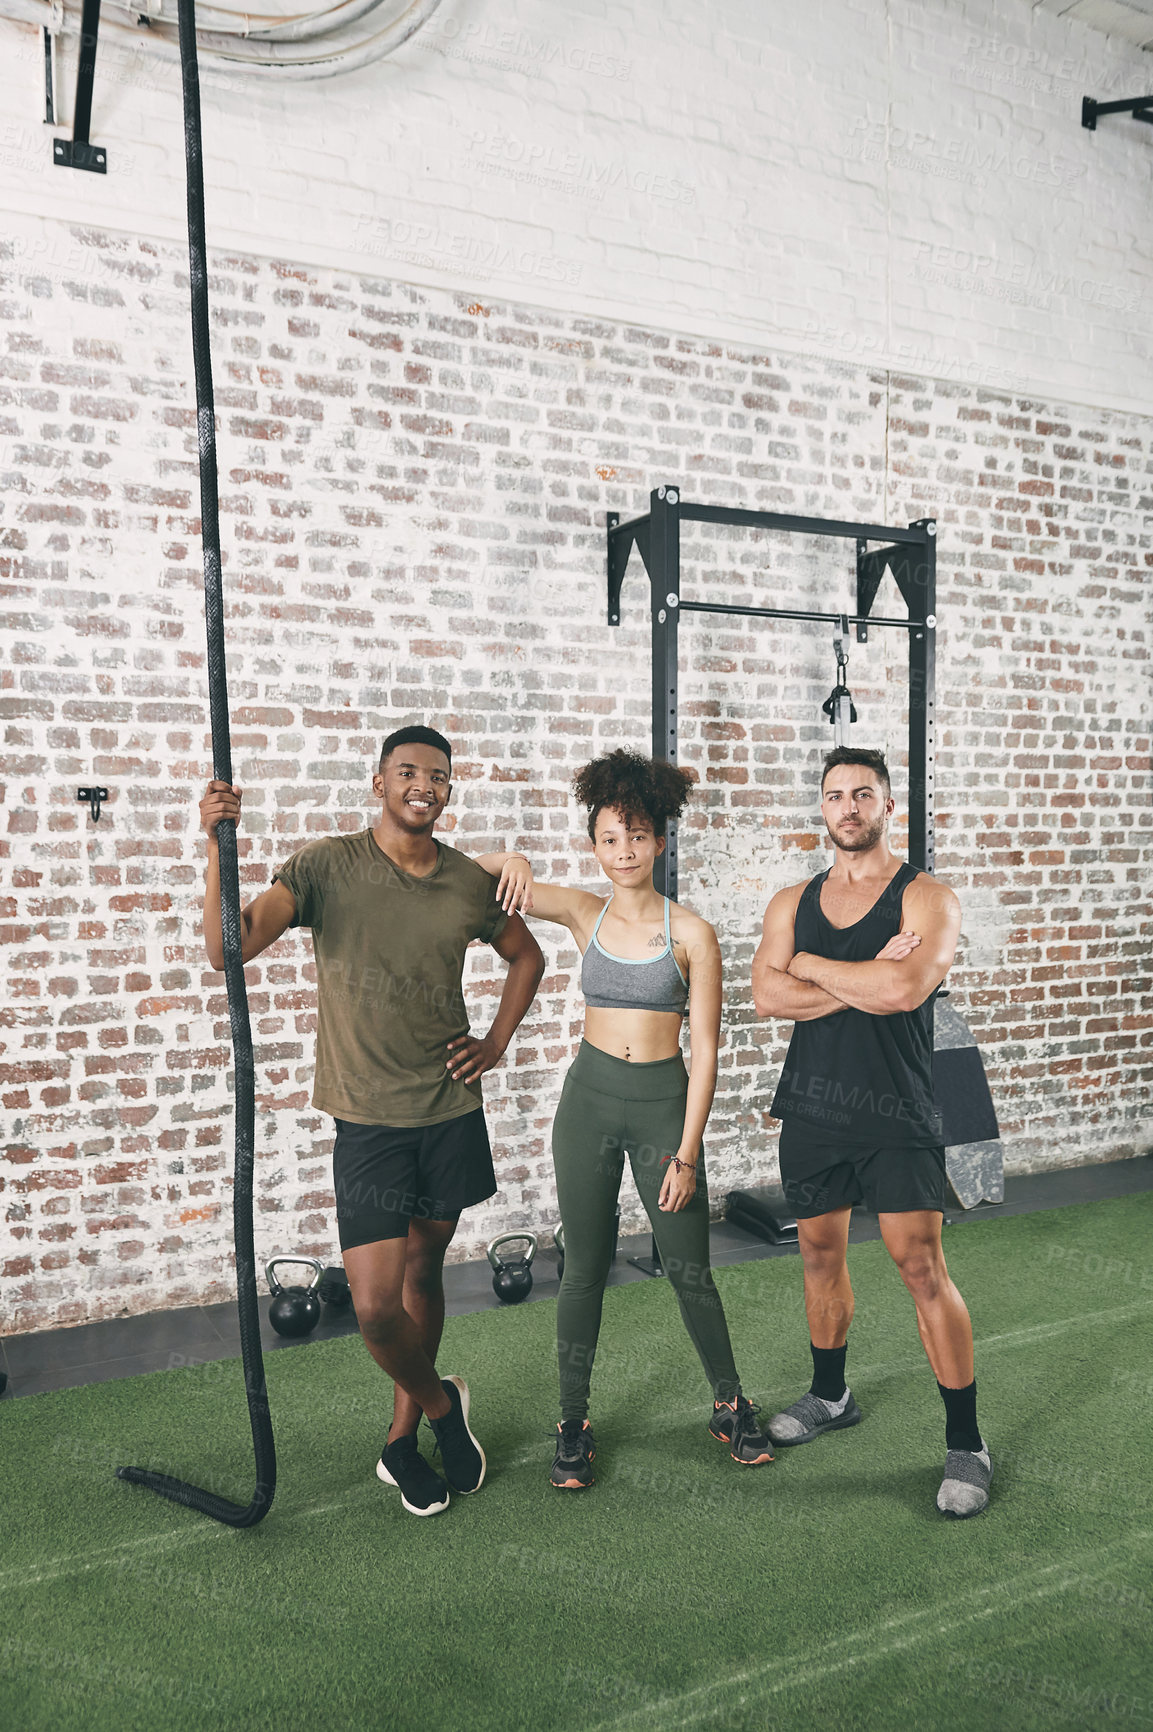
(821, 1175)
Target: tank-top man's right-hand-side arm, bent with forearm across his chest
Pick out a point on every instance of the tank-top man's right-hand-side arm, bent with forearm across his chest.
(894, 981)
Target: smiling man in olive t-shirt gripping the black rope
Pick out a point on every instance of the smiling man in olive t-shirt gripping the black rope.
(392, 914)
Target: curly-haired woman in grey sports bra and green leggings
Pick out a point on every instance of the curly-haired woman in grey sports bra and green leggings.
(629, 1094)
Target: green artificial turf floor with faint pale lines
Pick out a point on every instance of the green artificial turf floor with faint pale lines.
(683, 1591)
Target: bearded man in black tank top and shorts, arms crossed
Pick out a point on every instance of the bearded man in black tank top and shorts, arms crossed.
(856, 959)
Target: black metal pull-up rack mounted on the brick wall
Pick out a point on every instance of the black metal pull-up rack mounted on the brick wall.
(908, 553)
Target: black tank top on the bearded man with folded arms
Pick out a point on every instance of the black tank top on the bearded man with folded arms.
(854, 1076)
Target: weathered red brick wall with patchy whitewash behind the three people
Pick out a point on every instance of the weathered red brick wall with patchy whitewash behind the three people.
(413, 501)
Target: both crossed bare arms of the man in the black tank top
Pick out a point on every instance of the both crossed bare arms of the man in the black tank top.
(801, 988)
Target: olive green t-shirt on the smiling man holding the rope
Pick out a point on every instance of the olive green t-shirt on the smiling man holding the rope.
(390, 957)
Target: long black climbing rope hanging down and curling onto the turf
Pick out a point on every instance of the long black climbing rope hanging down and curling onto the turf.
(245, 1089)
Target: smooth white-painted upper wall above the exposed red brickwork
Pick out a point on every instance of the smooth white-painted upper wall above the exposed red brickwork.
(901, 184)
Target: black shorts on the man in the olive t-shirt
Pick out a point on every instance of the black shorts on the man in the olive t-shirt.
(385, 1175)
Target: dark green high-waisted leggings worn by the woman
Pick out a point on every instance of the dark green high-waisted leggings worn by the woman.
(612, 1109)
